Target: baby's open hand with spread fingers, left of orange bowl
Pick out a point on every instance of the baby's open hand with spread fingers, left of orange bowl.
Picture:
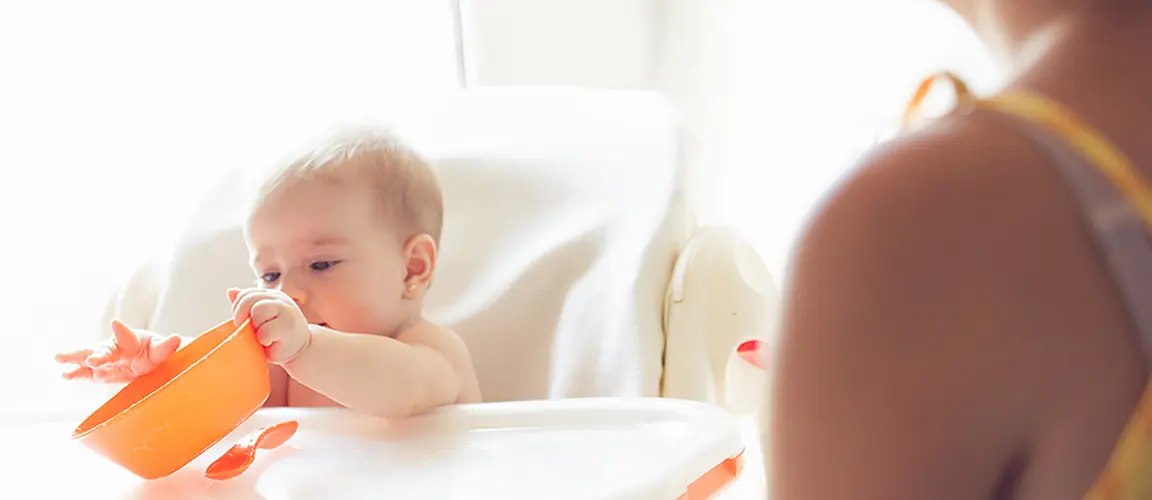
(130, 355)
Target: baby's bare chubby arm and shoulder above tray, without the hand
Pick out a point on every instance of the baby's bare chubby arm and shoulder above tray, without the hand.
(418, 372)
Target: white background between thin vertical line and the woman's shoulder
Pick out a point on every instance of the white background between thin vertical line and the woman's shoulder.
(777, 97)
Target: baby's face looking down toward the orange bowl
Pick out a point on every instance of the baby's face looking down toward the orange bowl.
(329, 248)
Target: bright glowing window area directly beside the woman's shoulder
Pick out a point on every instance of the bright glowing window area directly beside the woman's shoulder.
(812, 86)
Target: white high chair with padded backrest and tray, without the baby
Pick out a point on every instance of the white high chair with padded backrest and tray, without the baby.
(572, 267)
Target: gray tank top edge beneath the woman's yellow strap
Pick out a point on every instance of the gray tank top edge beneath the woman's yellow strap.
(1118, 229)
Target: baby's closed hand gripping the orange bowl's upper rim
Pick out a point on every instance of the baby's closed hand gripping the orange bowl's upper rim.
(279, 323)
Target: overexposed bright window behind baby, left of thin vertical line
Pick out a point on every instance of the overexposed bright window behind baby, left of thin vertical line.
(117, 116)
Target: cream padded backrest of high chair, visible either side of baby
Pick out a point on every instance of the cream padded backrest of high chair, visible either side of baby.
(564, 219)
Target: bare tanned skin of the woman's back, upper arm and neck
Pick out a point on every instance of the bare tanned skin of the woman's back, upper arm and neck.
(953, 329)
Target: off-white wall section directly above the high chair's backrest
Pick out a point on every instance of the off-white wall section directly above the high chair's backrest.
(674, 47)
